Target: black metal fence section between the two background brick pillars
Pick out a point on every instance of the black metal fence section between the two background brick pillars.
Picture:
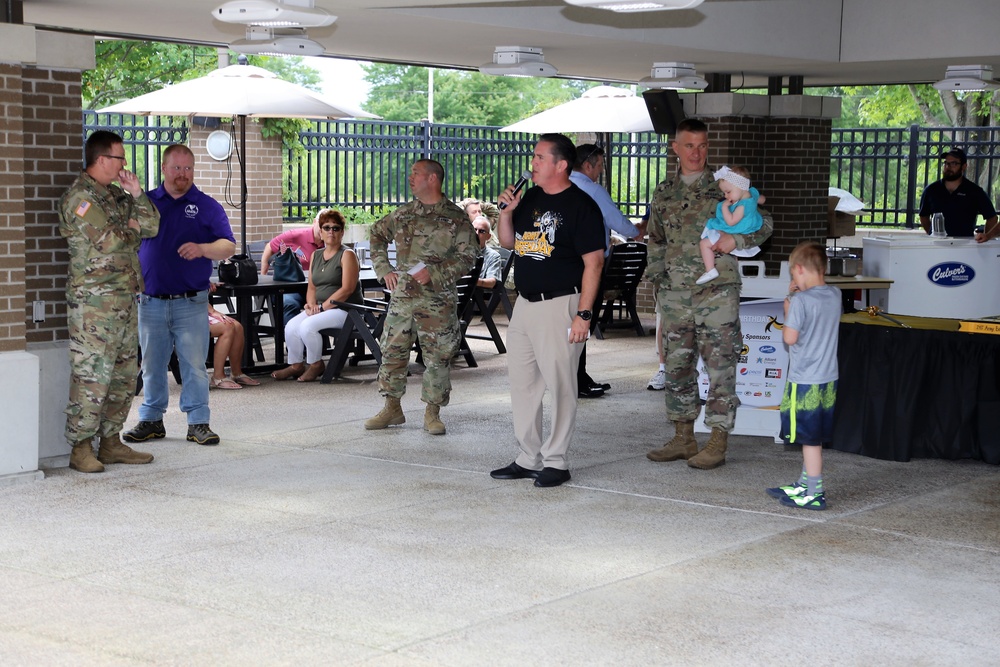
(365, 164)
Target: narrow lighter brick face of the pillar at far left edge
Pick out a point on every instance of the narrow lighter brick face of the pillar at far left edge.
(11, 211)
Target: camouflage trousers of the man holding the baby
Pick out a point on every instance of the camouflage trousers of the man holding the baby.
(705, 321)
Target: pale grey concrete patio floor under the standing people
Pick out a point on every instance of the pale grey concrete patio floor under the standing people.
(304, 540)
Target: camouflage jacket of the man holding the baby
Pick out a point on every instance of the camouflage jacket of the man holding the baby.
(678, 214)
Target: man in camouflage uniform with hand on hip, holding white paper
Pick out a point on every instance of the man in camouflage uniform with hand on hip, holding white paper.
(435, 246)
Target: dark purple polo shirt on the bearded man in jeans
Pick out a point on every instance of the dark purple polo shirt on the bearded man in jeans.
(194, 217)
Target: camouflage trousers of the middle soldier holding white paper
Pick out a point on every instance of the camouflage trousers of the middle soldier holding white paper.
(434, 322)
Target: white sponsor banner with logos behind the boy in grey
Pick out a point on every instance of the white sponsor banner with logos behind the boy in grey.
(763, 362)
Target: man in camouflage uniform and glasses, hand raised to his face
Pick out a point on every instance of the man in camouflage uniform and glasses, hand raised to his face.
(102, 224)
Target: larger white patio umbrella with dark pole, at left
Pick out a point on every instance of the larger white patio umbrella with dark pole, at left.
(239, 91)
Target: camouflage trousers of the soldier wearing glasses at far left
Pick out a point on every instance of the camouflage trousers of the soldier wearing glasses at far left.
(103, 350)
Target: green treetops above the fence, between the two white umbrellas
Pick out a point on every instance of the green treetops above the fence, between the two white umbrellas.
(400, 92)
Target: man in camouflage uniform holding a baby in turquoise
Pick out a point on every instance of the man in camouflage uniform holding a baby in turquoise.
(696, 319)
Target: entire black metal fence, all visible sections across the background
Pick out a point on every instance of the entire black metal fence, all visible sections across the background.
(362, 166)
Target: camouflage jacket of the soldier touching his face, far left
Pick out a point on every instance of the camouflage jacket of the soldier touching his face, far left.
(103, 251)
